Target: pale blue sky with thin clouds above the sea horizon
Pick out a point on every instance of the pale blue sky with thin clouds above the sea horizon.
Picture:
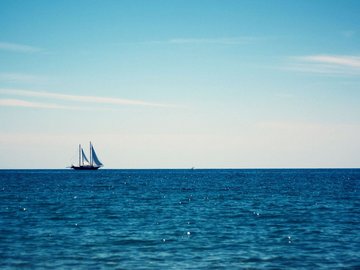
(180, 84)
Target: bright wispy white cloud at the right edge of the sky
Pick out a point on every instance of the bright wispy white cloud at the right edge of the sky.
(327, 64)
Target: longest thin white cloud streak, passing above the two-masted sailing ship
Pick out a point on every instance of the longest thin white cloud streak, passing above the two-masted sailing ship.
(81, 99)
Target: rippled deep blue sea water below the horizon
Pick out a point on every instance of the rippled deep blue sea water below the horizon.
(180, 219)
